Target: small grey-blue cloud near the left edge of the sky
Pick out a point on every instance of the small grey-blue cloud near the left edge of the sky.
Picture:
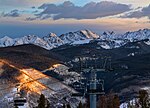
(13, 13)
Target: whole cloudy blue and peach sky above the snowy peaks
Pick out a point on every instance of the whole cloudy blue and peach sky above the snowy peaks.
(40, 17)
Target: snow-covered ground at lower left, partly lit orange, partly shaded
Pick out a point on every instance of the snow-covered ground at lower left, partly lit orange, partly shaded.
(37, 82)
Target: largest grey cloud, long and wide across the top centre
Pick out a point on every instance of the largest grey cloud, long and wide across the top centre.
(91, 10)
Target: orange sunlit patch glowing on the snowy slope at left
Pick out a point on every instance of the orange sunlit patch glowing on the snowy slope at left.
(28, 79)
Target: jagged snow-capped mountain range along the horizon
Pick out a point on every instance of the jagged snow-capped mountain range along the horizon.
(107, 40)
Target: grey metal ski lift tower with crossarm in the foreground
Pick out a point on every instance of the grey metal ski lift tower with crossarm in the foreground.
(93, 90)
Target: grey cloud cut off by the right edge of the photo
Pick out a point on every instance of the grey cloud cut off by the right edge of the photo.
(145, 12)
